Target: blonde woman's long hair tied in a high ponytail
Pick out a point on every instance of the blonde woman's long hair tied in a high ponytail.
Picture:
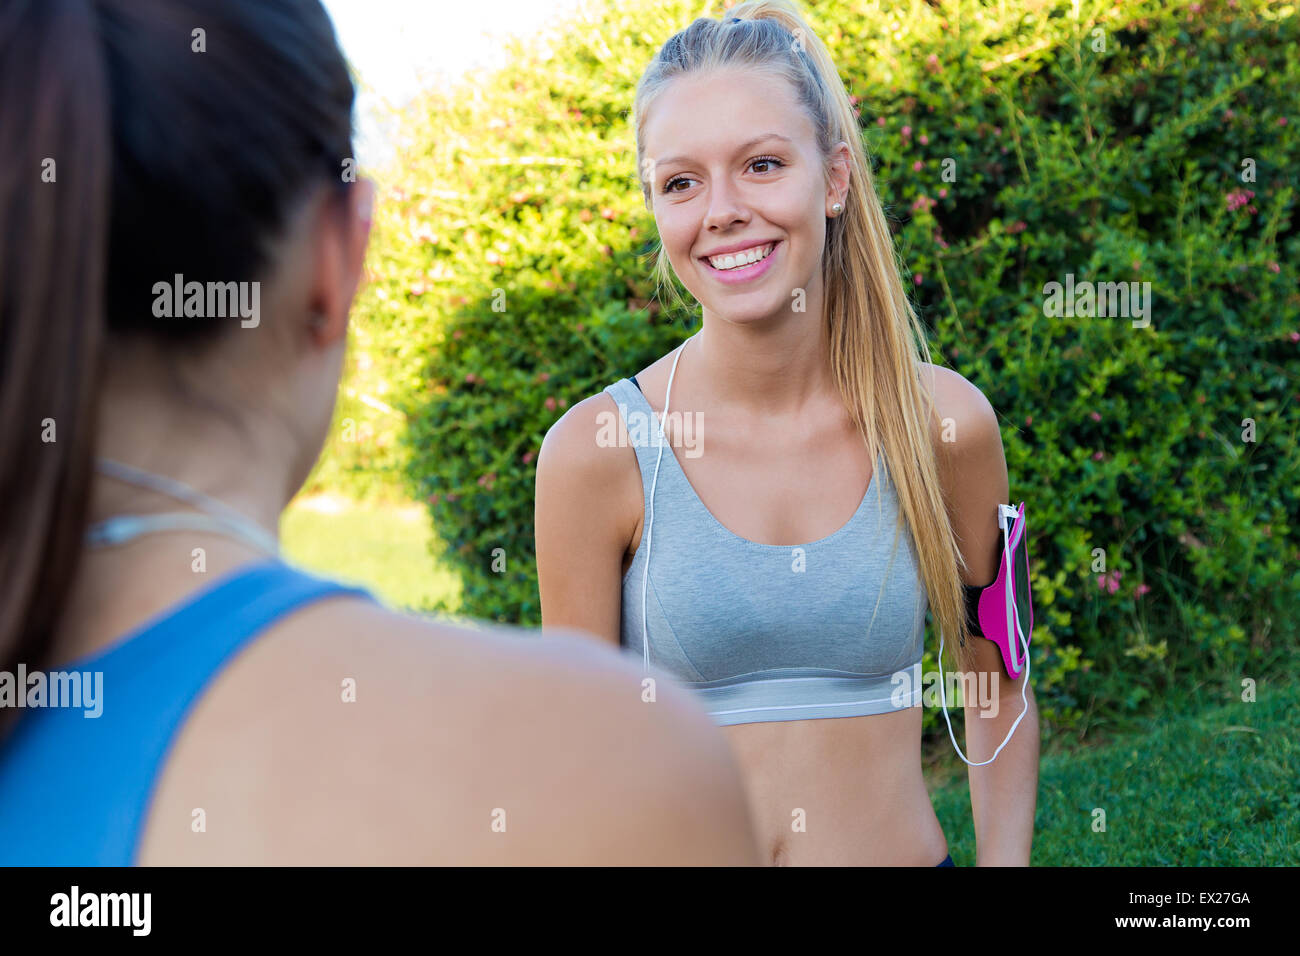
(877, 341)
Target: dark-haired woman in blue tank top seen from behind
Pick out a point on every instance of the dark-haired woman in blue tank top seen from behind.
(180, 246)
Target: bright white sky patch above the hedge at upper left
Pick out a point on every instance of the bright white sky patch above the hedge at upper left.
(400, 47)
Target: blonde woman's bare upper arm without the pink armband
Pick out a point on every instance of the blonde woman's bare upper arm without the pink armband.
(583, 521)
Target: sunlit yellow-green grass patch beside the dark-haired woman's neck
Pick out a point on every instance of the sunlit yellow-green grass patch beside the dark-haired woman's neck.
(383, 547)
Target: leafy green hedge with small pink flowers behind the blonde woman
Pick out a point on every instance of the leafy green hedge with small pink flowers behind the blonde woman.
(512, 282)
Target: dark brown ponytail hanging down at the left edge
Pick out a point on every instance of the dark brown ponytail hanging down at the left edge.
(54, 226)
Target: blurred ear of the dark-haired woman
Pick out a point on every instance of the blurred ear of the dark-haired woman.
(341, 235)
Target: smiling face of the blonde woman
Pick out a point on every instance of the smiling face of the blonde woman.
(740, 192)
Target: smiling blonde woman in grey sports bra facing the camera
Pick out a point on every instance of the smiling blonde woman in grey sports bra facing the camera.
(821, 483)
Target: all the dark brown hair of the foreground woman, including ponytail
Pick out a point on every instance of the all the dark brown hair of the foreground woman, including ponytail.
(142, 149)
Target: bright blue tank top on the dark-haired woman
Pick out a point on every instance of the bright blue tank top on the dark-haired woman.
(75, 789)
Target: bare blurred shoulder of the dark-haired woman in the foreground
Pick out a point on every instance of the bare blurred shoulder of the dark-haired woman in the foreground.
(350, 734)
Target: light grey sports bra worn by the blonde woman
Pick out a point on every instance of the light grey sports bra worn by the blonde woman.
(772, 633)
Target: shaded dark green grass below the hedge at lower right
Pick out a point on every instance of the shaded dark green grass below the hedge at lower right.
(1210, 789)
